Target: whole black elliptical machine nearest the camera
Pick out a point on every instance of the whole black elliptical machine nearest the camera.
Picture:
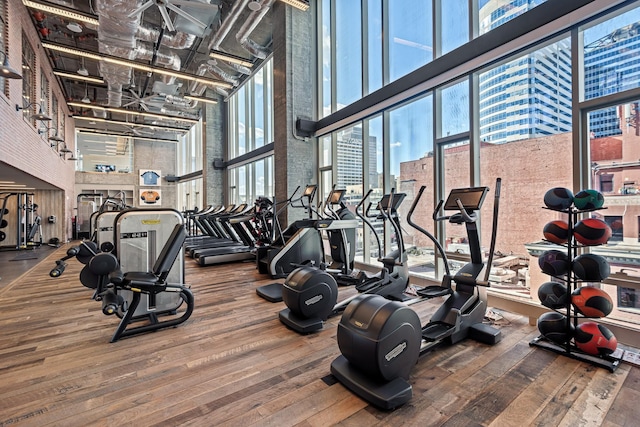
(381, 340)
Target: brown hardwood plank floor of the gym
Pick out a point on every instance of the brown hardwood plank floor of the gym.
(233, 363)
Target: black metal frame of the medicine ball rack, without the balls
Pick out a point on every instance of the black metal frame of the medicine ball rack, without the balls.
(572, 282)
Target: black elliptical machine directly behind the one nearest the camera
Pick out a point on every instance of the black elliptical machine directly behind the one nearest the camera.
(311, 293)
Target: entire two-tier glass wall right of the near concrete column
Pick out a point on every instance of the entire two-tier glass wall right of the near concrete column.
(515, 119)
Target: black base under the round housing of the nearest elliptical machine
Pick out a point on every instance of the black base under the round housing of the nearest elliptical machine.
(382, 394)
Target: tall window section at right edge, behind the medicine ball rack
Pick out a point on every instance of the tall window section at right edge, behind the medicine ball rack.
(611, 112)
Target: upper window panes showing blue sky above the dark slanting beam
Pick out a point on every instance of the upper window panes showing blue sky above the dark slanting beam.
(368, 44)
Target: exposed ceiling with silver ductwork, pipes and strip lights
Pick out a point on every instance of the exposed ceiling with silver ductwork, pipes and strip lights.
(137, 31)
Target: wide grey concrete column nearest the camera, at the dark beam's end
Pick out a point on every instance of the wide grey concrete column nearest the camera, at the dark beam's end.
(293, 71)
